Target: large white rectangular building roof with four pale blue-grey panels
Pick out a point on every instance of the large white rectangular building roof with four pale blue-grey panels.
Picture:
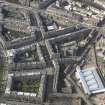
(91, 81)
